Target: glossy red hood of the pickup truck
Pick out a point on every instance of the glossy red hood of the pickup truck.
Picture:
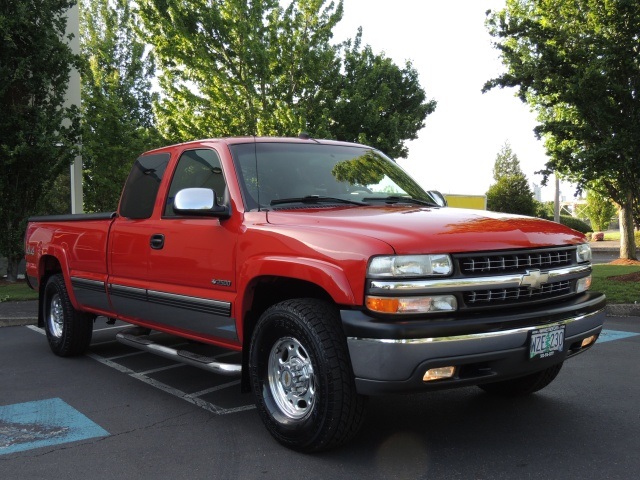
(413, 230)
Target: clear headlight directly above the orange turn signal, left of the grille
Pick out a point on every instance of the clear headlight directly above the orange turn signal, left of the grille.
(410, 266)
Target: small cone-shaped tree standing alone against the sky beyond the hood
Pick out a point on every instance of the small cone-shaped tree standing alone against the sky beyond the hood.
(511, 193)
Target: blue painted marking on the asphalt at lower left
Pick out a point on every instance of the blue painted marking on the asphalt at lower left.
(42, 423)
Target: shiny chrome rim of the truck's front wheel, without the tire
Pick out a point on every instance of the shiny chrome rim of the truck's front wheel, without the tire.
(291, 378)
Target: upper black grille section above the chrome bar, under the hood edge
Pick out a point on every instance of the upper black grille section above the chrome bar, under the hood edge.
(515, 262)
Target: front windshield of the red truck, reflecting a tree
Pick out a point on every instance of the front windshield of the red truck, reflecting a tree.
(281, 173)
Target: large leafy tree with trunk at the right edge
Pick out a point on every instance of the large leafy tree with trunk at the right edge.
(576, 65)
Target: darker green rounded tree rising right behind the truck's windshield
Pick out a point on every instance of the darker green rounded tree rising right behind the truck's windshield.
(378, 103)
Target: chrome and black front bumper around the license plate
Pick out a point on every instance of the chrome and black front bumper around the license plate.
(390, 356)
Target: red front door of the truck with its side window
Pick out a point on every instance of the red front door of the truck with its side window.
(191, 276)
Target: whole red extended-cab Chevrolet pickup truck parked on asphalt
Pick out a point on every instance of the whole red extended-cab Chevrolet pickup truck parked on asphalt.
(333, 273)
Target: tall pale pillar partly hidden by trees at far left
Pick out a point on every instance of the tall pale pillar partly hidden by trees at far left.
(73, 98)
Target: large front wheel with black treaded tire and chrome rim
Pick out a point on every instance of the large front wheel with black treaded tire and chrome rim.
(302, 378)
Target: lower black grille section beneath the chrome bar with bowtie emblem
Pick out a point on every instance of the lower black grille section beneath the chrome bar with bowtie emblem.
(505, 295)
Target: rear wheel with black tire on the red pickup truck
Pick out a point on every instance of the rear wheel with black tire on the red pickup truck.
(68, 330)
